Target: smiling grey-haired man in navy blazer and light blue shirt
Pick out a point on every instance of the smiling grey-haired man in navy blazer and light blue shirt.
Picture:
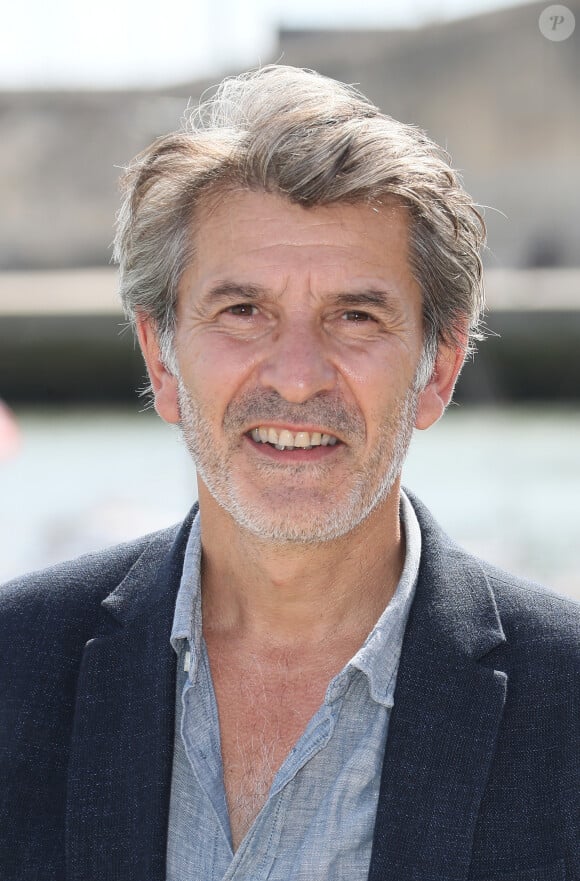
(307, 679)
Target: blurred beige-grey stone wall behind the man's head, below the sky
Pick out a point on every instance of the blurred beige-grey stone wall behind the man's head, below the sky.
(501, 97)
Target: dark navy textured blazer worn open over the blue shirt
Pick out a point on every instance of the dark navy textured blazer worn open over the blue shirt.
(481, 775)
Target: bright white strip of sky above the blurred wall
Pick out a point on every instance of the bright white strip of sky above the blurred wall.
(132, 43)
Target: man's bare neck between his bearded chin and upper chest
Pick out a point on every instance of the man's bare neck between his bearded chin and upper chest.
(298, 594)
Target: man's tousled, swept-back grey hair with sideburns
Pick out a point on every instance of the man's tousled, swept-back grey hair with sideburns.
(315, 141)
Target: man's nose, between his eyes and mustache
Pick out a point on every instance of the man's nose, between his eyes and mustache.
(297, 364)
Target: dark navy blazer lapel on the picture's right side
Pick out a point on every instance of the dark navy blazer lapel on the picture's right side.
(444, 723)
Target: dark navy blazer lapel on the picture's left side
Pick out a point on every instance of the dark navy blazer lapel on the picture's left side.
(119, 778)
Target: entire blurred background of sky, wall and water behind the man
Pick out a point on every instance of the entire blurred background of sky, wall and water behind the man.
(83, 463)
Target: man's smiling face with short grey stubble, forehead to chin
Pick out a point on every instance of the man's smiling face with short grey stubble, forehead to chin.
(297, 328)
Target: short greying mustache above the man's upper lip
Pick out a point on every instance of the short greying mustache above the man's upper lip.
(269, 406)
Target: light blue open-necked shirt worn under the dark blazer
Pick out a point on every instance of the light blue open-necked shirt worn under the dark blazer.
(317, 823)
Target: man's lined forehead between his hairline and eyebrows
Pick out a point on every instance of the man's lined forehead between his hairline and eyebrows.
(244, 234)
